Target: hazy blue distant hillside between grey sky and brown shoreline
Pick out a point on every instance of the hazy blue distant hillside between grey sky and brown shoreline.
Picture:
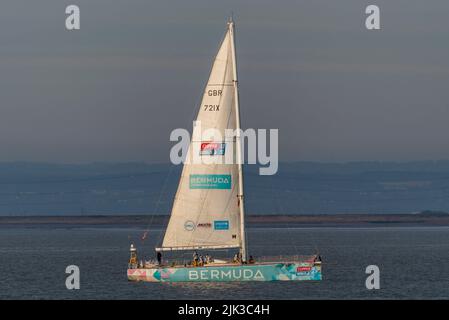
(298, 188)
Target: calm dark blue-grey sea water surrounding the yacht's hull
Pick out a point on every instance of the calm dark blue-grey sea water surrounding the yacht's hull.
(413, 263)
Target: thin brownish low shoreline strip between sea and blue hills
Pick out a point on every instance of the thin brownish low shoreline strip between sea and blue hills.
(145, 221)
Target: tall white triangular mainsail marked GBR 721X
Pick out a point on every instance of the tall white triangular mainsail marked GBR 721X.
(208, 207)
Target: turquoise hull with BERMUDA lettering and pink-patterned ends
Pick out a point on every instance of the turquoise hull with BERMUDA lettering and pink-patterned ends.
(249, 272)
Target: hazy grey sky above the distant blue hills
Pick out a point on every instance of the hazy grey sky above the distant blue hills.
(116, 88)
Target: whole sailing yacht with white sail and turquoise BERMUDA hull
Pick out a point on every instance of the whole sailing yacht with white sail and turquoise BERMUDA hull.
(208, 212)
